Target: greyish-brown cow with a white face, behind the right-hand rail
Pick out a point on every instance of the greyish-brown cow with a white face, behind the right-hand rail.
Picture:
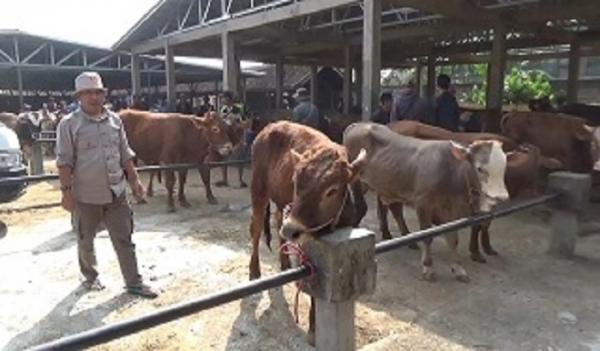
(442, 180)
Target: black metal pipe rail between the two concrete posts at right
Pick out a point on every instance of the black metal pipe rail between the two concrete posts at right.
(393, 244)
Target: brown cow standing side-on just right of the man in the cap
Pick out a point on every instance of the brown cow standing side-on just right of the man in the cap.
(169, 138)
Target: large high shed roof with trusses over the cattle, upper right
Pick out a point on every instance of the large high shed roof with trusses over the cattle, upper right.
(314, 31)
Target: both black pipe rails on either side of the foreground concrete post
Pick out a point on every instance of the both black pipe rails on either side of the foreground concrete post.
(114, 331)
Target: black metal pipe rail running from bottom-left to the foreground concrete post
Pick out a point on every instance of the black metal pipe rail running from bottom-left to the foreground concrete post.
(114, 331)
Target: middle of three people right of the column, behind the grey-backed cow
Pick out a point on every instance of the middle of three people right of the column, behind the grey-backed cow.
(408, 105)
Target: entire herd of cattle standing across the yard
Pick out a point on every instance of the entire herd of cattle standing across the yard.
(317, 181)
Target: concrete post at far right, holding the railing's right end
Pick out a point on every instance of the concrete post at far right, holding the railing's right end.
(574, 191)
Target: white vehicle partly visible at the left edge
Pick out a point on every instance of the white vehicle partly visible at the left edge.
(11, 164)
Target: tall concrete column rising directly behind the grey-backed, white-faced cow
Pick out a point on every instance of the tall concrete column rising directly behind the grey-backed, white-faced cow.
(371, 57)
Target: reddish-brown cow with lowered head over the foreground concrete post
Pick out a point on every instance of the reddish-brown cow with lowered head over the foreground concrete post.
(300, 169)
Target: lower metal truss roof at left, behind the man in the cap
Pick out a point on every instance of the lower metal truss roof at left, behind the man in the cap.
(52, 64)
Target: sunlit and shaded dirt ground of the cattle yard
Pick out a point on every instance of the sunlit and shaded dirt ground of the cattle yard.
(520, 300)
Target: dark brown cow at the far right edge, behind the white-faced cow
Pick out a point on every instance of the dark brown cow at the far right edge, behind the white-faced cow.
(565, 138)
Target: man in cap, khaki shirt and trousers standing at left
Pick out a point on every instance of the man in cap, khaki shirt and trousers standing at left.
(95, 164)
